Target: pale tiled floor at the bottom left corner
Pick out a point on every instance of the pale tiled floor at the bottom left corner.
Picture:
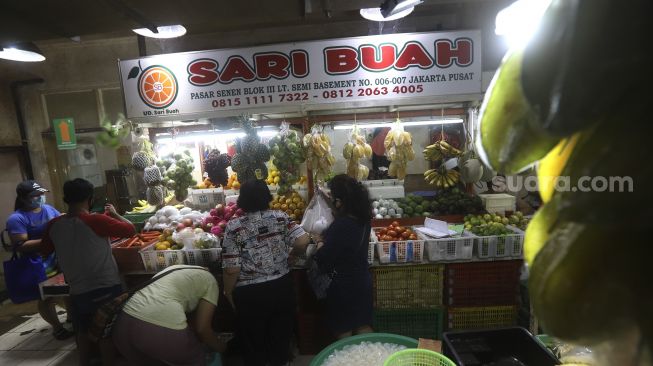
(31, 343)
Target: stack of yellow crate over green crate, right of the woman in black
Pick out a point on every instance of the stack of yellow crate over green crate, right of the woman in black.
(408, 300)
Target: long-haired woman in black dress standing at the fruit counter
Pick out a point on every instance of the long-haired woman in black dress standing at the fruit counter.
(344, 254)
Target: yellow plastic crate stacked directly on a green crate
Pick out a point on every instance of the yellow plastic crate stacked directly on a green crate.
(408, 287)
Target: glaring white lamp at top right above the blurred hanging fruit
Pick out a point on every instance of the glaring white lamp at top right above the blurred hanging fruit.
(520, 20)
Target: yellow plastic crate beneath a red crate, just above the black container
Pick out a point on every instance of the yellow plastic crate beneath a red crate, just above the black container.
(470, 318)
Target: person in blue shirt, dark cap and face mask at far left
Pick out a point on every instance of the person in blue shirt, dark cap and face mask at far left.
(26, 227)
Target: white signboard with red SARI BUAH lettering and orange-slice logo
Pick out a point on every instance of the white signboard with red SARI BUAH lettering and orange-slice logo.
(384, 67)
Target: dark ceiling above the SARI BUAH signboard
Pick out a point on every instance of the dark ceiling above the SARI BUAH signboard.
(39, 20)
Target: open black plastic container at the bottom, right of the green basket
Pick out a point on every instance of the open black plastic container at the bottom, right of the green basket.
(498, 347)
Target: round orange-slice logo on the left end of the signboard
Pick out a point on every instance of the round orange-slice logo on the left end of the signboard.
(157, 86)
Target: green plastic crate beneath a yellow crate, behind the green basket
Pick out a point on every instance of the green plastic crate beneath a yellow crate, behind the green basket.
(414, 323)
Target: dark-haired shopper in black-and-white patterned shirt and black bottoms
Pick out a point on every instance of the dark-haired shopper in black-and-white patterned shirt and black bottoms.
(257, 279)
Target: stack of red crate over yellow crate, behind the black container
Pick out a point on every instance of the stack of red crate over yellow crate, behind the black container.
(482, 295)
